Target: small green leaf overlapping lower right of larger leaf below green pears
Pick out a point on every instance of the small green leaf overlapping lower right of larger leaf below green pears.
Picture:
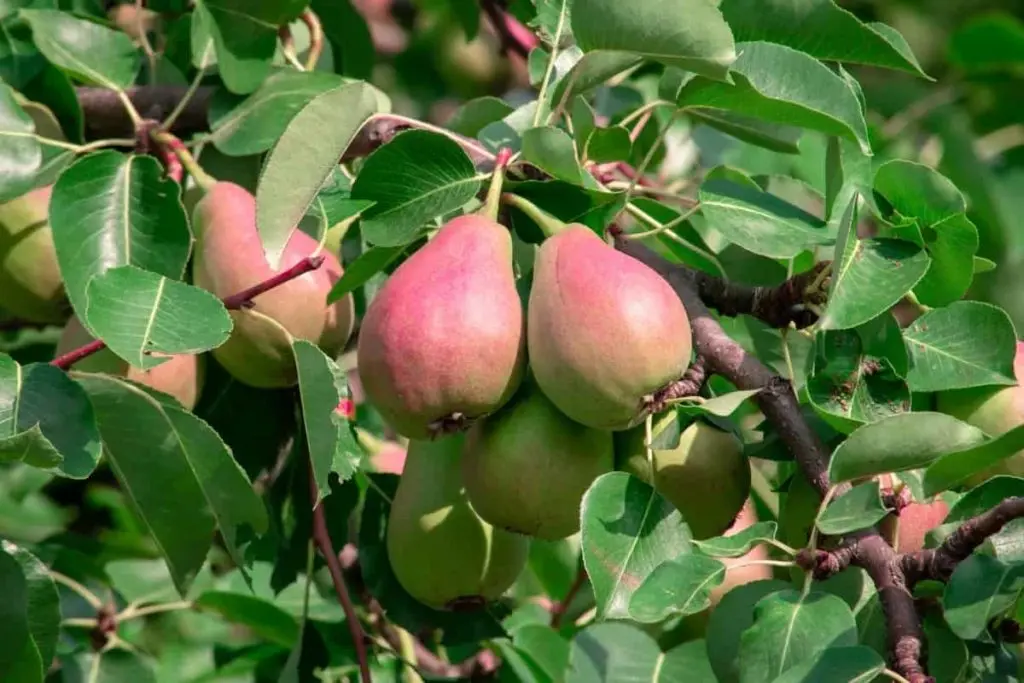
(680, 587)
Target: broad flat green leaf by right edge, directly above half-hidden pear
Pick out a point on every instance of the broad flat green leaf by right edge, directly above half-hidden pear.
(946, 354)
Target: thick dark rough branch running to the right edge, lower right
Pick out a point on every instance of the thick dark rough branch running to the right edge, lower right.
(940, 564)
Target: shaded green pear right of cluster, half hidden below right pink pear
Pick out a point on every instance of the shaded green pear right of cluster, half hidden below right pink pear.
(707, 477)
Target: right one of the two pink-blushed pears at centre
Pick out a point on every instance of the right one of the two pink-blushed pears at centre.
(605, 331)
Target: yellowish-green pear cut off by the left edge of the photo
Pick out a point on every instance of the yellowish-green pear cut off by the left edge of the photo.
(31, 287)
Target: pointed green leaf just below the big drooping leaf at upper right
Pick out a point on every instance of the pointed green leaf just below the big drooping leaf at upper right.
(759, 222)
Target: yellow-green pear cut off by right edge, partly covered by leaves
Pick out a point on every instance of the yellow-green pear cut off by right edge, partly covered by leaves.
(994, 410)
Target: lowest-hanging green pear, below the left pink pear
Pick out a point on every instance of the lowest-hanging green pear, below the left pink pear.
(441, 551)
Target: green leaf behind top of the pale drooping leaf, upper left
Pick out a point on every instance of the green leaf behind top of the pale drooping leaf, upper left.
(251, 125)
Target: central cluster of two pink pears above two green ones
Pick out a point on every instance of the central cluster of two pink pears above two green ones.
(513, 411)
